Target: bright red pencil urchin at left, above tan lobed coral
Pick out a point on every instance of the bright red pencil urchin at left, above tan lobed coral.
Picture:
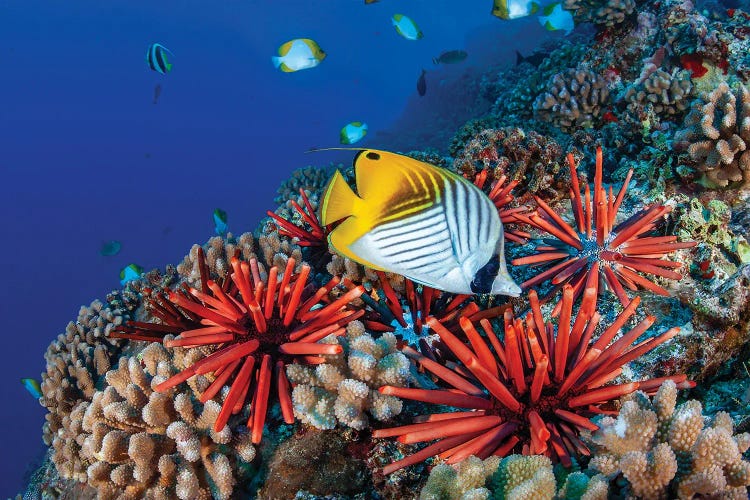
(254, 322)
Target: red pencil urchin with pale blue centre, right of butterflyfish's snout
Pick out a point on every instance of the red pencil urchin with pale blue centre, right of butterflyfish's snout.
(617, 253)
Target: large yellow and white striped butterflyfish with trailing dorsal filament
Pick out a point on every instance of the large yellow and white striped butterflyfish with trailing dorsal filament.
(423, 222)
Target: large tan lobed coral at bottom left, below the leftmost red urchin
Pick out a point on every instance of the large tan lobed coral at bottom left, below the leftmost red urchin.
(142, 443)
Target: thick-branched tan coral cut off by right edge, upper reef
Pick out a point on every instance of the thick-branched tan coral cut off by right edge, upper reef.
(717, 136)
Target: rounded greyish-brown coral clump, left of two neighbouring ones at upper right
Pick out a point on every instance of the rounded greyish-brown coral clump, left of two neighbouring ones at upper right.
(573, 99)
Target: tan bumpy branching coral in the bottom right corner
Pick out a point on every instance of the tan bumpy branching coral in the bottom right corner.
(663, 450)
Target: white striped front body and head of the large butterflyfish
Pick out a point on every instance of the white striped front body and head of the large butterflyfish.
(449, 237)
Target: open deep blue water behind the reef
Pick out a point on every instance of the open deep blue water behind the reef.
(77, 122)
